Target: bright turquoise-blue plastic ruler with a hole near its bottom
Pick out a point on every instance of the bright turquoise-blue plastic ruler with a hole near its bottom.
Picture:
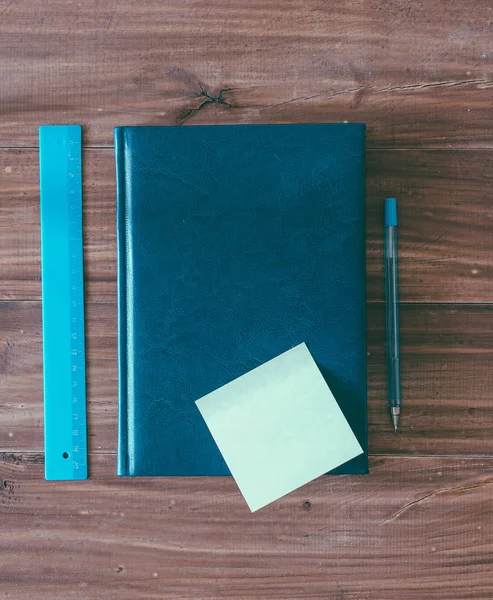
(60, 159)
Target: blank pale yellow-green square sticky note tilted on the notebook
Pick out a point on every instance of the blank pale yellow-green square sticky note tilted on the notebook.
(278, 427)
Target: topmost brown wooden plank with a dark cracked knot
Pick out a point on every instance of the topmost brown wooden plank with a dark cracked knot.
(419, 73)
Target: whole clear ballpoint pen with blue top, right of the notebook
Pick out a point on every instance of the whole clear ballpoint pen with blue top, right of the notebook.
(392, 310)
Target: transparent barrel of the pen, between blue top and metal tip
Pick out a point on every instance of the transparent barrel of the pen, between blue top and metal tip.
(392, 315)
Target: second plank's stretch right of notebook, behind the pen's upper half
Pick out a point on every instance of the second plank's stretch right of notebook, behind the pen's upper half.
(446, 224)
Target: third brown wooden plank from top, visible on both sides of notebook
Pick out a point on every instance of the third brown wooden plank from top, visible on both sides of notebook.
(447, 372)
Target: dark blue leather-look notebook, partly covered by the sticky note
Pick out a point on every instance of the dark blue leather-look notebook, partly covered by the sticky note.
(235, 244)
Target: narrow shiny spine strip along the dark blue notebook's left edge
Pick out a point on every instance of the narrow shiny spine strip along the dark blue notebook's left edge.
(121, 209)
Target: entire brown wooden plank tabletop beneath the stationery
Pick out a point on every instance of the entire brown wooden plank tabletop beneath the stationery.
(420, 74)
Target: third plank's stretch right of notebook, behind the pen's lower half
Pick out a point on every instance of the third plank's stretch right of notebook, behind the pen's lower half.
(447, 378)
